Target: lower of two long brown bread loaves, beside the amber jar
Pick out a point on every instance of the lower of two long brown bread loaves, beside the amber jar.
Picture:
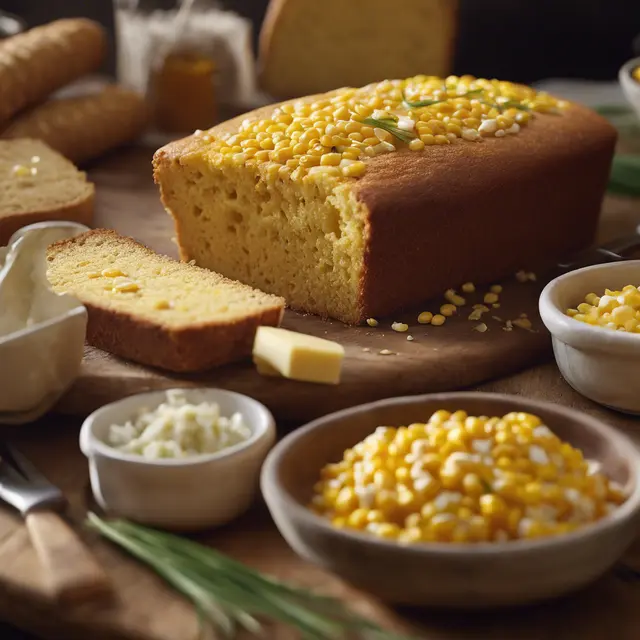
(84, 127)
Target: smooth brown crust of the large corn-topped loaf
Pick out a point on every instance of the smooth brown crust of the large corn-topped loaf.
(466, 211)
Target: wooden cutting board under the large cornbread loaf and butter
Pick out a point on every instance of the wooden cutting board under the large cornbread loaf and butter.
(438, 358)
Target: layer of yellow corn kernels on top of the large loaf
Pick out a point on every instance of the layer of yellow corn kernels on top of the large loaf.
(335, 136)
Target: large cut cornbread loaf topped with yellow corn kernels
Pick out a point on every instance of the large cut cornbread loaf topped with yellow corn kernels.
(356, 203)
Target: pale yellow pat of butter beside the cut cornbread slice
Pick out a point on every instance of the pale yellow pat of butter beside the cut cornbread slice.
(297, 356)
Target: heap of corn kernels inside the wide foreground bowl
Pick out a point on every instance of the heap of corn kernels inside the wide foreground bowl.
(465, 479)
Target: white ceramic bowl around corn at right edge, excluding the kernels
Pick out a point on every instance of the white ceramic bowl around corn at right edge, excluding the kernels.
(599, 363)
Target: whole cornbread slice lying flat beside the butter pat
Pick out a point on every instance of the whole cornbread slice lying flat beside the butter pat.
(154, 310)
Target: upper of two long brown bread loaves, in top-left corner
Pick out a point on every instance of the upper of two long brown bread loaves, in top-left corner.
(36, 63)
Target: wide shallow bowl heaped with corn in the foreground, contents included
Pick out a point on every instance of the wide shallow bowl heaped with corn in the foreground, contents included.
(457, 499)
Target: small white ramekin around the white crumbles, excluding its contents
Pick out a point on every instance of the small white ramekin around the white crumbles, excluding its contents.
(179, 494)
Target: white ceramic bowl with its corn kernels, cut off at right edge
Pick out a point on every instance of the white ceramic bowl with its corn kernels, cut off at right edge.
(593, 315)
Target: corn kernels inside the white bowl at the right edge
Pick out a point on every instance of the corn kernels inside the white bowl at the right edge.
(614, 310)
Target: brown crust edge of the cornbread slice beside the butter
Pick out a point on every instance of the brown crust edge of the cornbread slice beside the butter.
(194, 348)
